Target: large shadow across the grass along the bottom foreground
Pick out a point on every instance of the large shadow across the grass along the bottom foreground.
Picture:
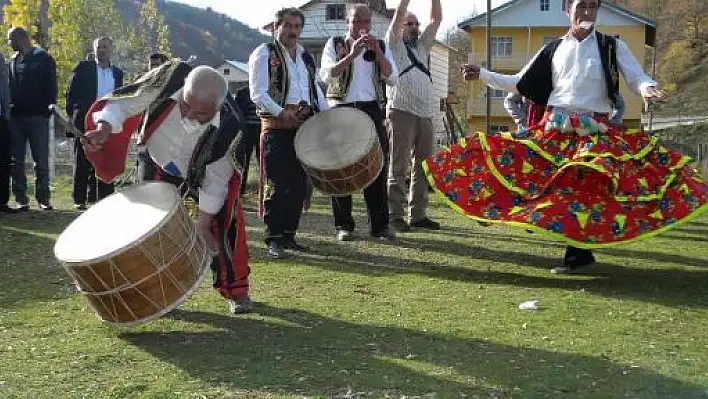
(295, 352)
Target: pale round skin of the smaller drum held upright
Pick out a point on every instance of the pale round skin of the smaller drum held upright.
(335, 138)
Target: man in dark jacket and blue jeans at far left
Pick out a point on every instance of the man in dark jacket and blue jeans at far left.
(33, 85)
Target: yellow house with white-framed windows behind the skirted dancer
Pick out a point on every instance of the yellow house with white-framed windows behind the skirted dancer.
(521, 27)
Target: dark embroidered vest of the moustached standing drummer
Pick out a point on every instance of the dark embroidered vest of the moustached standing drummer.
(279, 77)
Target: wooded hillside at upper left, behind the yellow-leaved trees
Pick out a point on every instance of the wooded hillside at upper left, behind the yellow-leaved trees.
(209, 35)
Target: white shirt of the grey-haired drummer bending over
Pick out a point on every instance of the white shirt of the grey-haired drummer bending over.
(172, 143)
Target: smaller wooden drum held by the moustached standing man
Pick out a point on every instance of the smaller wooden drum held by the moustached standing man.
(339, 149)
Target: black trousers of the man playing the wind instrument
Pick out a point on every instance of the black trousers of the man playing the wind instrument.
(375, 196)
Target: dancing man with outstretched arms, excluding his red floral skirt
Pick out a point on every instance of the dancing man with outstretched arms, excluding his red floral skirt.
(578, 72)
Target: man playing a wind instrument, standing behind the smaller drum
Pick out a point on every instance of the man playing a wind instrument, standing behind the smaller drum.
(356, 70)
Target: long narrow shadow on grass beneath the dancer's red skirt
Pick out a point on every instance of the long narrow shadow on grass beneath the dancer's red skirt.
(671, 287)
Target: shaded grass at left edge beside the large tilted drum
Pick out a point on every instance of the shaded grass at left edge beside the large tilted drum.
(29, 272)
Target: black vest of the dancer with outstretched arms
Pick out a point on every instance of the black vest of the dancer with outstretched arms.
(537, 83)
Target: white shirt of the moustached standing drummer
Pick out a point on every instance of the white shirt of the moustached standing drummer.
(259, 79)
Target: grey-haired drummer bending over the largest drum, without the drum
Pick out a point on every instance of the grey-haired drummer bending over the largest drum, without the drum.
(189, 137)
